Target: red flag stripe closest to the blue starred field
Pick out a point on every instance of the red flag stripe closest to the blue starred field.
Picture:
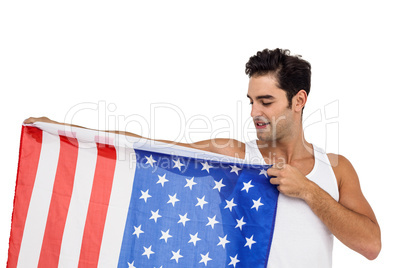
(98, 206)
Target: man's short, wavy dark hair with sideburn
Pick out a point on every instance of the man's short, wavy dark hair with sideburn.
(291, 72)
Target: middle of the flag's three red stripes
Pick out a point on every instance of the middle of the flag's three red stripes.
(60, 202)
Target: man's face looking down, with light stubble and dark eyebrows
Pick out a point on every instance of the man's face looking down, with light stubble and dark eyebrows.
(273, 119)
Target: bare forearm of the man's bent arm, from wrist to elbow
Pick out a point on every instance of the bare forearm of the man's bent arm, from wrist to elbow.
(355, 230)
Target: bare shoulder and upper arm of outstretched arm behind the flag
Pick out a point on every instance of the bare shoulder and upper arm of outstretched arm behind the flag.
(229, 147)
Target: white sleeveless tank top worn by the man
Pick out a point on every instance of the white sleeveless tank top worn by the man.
(300, 239)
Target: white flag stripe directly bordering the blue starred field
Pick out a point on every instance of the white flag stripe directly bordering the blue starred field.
(118, 208)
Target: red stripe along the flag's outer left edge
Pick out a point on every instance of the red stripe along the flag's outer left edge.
(30, 147)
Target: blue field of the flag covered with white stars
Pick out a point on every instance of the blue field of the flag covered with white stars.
(188, 212)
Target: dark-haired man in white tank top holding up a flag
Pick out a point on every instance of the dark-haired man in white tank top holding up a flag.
(320, 193)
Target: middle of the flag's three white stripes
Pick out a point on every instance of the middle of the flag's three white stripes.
(75, 222)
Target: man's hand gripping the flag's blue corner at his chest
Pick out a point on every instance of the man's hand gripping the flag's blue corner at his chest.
(290, 181)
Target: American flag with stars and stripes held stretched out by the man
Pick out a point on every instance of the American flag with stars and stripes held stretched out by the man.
(86, 200)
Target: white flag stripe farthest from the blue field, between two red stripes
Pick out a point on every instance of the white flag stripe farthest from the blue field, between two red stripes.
(40, 200)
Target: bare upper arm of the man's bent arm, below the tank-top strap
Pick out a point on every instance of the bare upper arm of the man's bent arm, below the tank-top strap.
(350, 193)
